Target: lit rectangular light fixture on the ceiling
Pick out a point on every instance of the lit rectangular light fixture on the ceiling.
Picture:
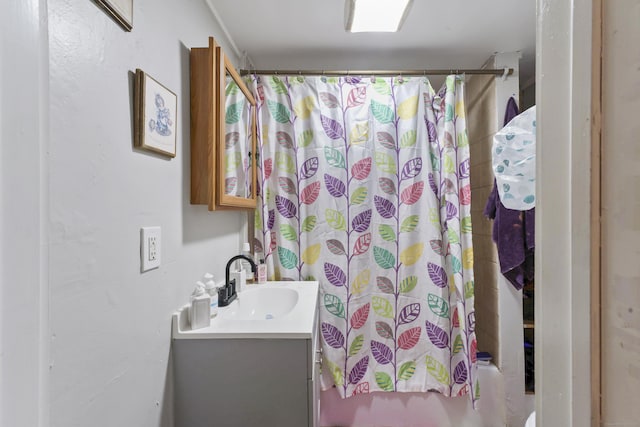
(375, 15)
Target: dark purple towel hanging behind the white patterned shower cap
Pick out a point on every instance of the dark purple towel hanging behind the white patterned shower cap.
(513, 231)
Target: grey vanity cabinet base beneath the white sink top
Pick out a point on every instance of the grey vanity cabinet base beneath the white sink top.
(236, 381)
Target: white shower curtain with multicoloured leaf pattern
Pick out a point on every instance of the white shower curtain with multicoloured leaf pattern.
(364, 186)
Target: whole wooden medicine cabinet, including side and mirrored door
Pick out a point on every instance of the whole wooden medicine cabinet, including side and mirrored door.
(223, 133)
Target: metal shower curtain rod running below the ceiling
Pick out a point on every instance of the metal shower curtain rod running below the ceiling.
(488, 71)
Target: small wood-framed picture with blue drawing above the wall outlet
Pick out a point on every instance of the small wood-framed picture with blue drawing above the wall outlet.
(155, 116)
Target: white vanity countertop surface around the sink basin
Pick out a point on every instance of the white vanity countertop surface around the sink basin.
(296, 323)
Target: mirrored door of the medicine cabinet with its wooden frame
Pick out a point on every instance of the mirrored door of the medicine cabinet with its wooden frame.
(236, 138)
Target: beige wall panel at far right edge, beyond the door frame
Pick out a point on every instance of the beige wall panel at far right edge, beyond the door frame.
(621, 214)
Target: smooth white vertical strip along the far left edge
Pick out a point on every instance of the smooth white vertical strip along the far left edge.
(23, 305)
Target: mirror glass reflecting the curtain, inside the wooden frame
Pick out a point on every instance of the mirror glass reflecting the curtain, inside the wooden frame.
(238, 140)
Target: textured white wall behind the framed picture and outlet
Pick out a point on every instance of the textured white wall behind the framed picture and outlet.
(110, 324)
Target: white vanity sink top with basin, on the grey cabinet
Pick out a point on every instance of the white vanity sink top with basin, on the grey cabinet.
(271, 310)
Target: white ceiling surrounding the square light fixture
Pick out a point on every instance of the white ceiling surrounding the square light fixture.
(308, 34)
